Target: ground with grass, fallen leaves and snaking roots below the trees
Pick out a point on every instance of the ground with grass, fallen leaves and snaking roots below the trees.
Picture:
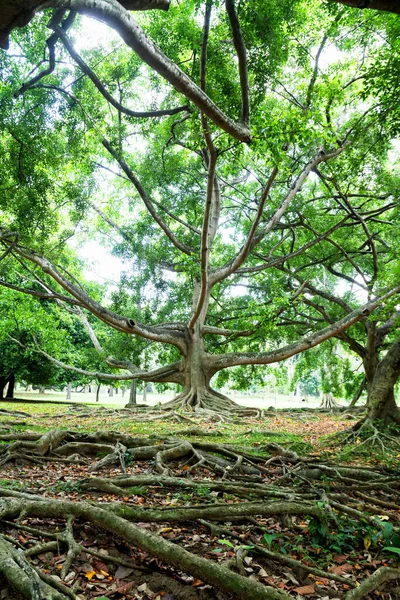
(267, 501)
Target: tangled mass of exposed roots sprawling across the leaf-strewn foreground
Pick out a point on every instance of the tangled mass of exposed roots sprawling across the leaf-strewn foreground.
(269, 492)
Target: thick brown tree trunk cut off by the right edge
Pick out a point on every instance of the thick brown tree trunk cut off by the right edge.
(382, 408)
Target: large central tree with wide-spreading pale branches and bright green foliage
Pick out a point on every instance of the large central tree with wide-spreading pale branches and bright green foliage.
(188, 197)
